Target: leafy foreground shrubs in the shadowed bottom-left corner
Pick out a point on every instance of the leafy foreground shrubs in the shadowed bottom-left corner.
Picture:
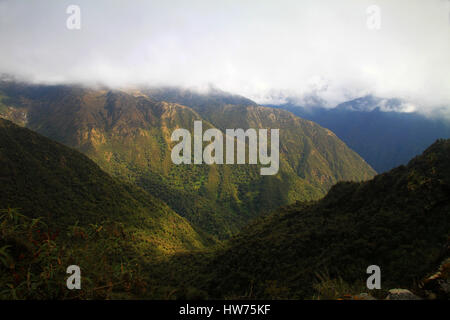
(34, 258)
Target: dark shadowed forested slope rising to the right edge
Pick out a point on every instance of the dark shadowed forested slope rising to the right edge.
(398, 220)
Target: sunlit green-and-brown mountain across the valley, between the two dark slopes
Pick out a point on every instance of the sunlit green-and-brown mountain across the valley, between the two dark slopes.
(127, 133)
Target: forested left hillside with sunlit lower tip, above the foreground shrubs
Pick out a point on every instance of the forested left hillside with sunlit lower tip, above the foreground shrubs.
(43, 178)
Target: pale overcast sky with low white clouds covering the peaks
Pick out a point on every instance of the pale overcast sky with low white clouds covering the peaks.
(260, 49)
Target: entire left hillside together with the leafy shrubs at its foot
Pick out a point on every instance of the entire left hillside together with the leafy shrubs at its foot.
(59, 208)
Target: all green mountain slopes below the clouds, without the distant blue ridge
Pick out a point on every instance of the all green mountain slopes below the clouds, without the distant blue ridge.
(86, 179)
